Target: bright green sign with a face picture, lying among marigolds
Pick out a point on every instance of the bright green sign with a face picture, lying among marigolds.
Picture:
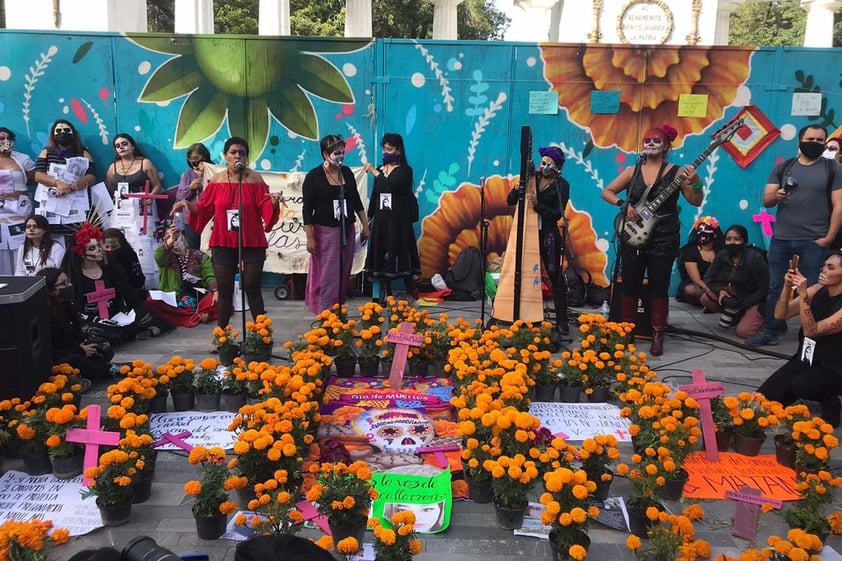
(429, 497)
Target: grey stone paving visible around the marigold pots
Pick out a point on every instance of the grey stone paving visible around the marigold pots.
(694, 342)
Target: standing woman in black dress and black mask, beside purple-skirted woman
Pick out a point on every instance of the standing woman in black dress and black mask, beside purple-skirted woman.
(392, 210)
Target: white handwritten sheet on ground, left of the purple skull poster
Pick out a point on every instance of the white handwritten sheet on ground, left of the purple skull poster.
(206, 429)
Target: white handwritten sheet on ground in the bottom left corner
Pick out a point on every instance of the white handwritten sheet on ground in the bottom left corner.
(24, 497)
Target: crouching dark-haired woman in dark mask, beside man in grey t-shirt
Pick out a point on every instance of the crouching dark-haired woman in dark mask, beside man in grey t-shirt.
(737, 282)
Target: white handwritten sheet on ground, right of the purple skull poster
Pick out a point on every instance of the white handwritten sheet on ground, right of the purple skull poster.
(578, 421)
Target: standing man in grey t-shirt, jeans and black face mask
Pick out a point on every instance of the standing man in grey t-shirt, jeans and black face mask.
(808, 193)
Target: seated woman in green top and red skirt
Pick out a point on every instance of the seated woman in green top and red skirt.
(183, 270)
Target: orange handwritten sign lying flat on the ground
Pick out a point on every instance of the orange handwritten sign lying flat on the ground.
(711, 480)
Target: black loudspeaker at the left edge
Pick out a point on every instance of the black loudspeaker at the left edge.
(25, 343)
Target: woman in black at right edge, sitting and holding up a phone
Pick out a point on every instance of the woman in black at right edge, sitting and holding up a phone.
(814, 372)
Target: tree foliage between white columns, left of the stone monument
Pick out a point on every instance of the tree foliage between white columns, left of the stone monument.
(412, 19)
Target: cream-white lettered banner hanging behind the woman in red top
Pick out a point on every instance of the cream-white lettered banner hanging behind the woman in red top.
(287, 251)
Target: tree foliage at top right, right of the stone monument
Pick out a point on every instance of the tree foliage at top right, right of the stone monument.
(781, 23)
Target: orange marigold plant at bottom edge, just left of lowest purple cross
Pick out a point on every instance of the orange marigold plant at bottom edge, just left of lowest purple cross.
(673, 537)
